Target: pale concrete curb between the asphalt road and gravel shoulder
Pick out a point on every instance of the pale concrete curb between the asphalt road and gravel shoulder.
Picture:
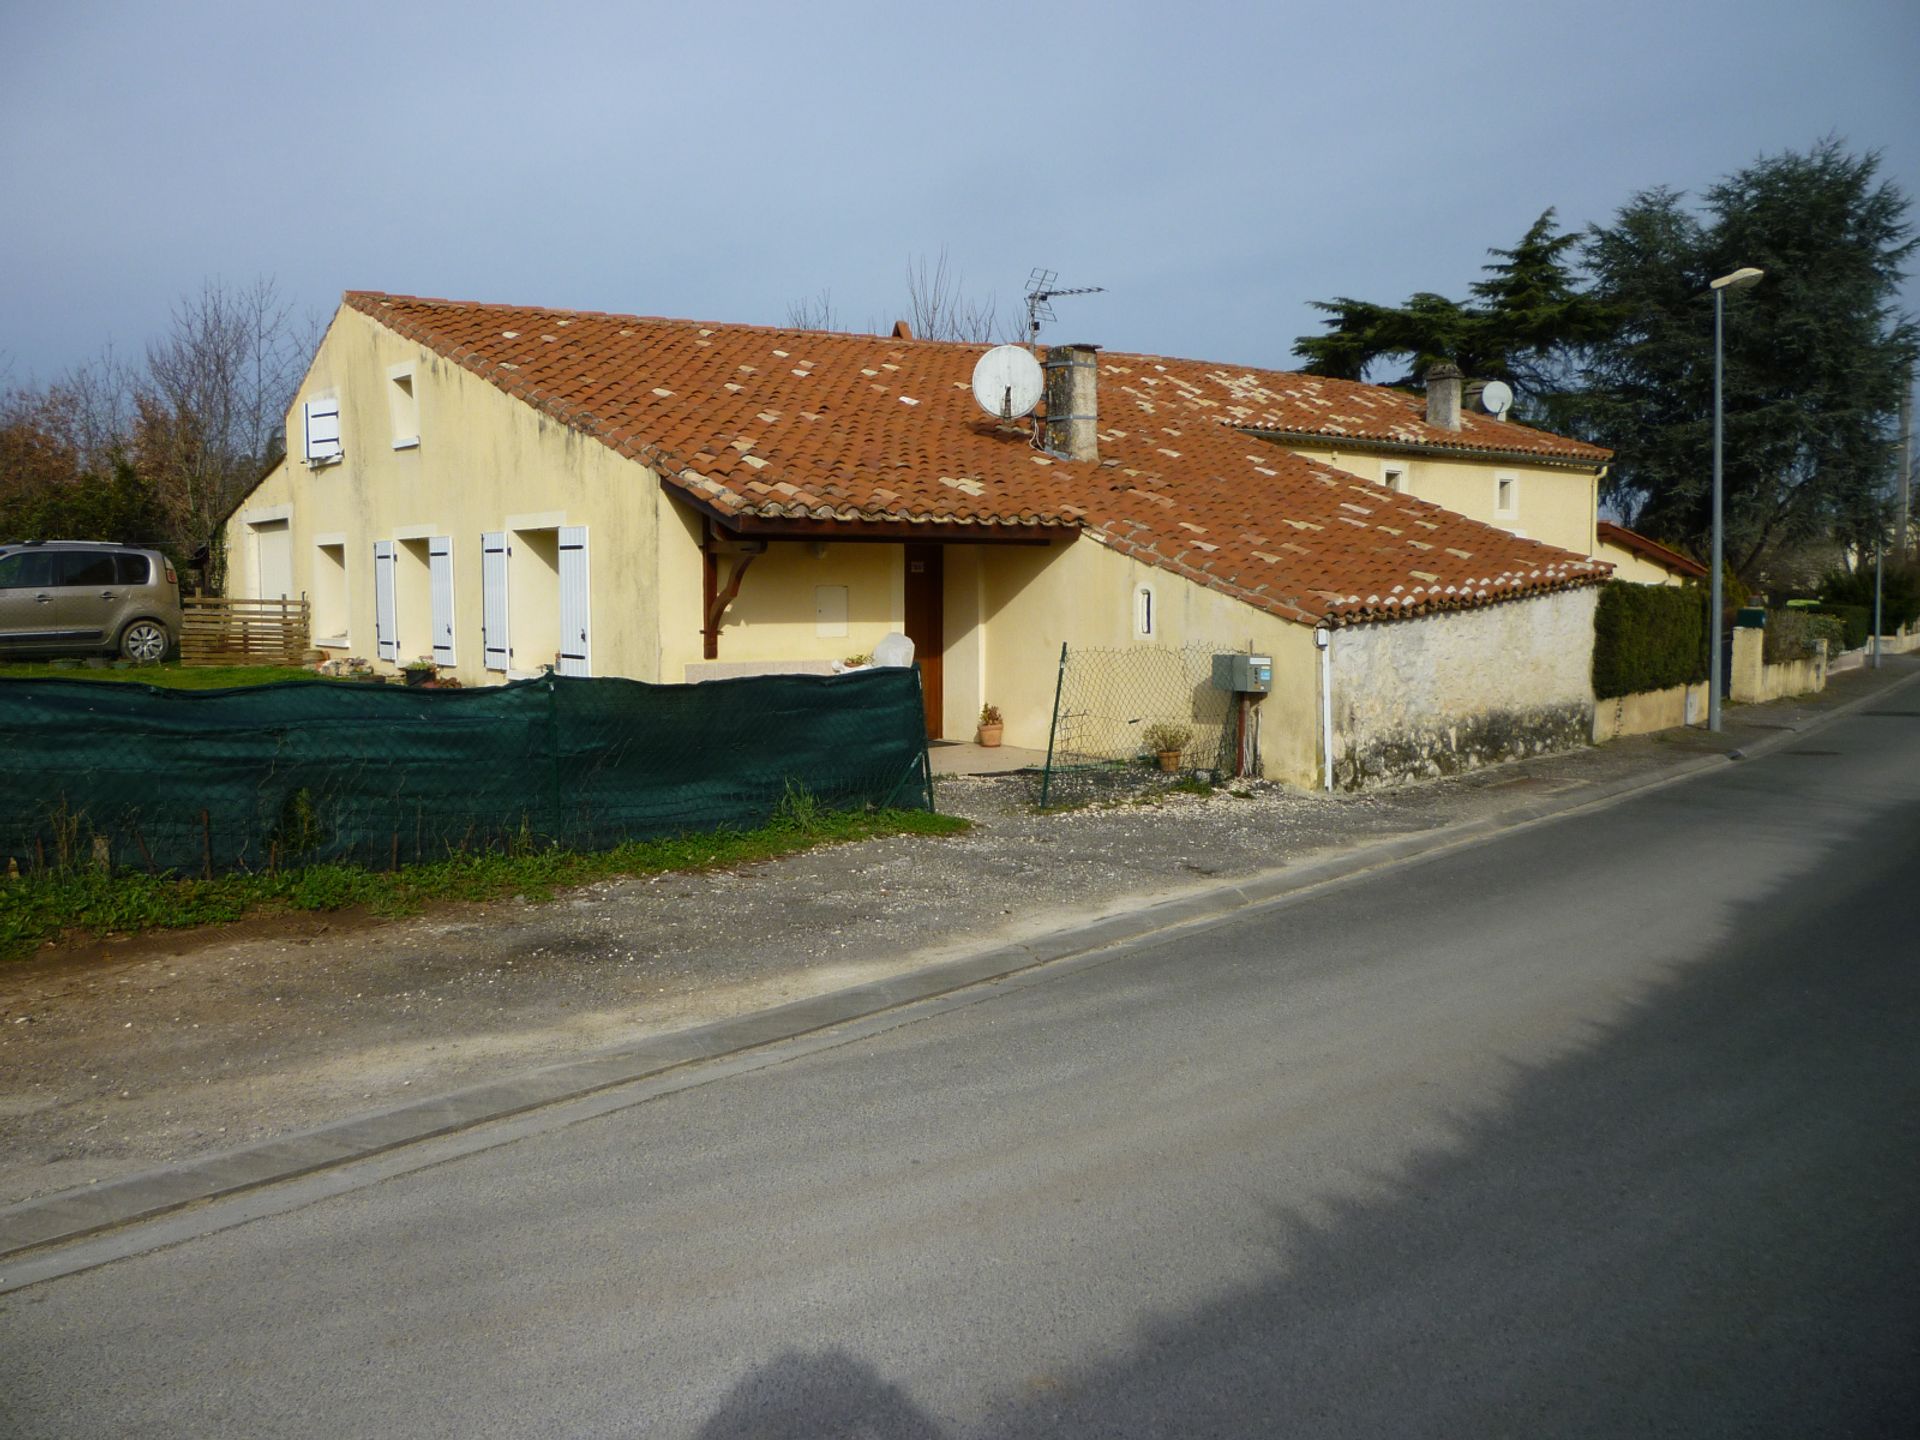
(36, 1226)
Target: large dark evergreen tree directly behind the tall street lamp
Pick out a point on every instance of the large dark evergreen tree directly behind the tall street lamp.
(1817, 356)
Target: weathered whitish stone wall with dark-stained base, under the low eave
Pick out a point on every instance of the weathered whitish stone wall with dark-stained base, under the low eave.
(1452, 692)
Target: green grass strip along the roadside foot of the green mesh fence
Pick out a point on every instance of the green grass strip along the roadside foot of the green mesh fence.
(37, 909)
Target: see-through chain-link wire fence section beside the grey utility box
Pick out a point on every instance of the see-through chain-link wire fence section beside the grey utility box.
(1118, 708)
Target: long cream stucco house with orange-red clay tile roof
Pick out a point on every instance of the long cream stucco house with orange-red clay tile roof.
(506, 489)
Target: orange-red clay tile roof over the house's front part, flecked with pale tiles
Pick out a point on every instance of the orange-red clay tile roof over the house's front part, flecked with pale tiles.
(802, 425)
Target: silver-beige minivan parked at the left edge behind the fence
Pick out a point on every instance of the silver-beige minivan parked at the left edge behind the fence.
(76, 596)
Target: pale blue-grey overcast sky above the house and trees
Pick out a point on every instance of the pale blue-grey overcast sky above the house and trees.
(1212, 166)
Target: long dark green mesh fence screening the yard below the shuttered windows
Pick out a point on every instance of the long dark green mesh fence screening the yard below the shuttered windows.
(291, 775)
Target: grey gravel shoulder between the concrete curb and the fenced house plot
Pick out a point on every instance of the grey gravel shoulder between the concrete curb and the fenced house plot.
(130, 1055)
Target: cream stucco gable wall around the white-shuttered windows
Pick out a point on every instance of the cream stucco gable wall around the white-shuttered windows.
(483, 462)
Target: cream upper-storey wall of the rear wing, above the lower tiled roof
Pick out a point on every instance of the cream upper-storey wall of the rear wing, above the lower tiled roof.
(1554, 506)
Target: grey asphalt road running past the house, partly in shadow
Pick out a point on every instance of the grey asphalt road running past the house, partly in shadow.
(1604, 1128)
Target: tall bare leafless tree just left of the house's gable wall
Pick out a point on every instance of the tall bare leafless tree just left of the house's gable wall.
(216, 402)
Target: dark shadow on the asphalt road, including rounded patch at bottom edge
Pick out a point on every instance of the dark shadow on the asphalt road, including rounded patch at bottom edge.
(1700, 1224)
